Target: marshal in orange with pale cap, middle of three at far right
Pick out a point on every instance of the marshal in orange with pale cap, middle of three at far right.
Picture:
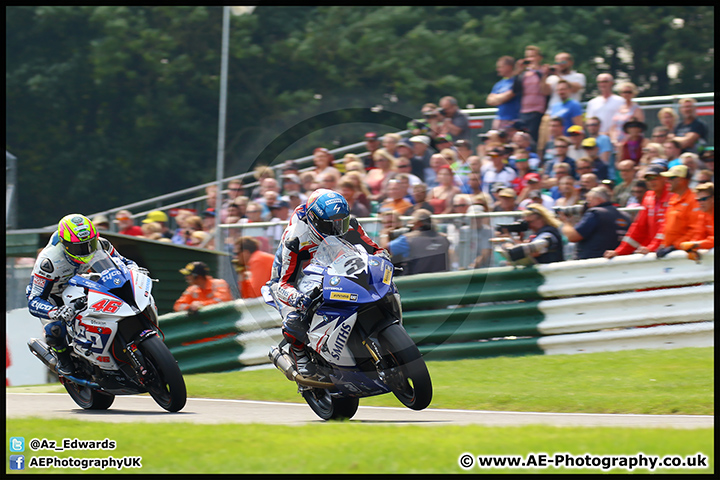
(682, 215)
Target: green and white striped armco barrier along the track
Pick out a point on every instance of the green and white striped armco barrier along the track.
(628, 302)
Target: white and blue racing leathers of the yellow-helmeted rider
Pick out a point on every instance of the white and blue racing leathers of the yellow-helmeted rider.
(51, 273)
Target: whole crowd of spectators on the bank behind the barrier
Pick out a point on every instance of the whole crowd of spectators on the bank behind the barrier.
(564, 168)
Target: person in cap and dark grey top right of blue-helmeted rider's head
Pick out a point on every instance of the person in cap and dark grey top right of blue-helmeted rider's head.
(424, 250)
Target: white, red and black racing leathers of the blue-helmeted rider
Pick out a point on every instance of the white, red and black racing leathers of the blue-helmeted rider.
(297, 248)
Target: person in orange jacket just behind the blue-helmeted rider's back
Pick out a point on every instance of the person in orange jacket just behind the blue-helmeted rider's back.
(254, 266)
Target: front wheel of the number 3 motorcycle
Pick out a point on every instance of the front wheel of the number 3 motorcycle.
(411, 384)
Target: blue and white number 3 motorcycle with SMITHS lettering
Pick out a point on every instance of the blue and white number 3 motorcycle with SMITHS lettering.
(356, 341)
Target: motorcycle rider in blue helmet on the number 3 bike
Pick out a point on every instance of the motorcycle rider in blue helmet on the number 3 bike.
(326, 213)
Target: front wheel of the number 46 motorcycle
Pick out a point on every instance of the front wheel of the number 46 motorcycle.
(168, 386)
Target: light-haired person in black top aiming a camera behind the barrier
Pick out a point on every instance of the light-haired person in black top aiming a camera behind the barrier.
(544, 246)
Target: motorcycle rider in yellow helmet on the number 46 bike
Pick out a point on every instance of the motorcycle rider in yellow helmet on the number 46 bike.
(68, 253)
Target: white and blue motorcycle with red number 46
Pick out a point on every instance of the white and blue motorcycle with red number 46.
(114, 340)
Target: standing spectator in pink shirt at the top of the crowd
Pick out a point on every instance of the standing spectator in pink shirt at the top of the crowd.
(535, 90)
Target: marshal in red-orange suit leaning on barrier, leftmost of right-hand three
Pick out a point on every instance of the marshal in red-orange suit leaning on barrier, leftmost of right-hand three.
(646, 232)
